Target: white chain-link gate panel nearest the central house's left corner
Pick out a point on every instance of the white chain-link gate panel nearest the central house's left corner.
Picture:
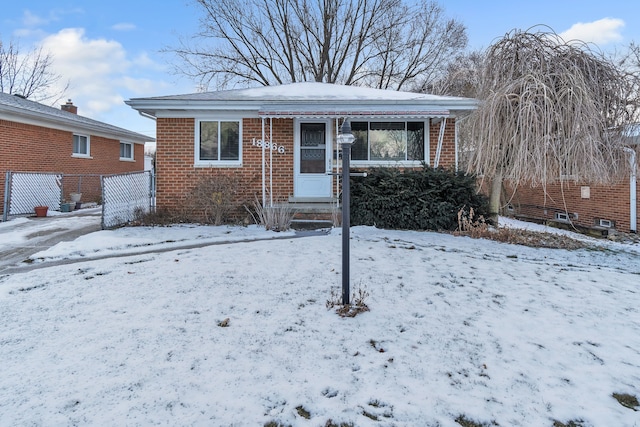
(125, 197)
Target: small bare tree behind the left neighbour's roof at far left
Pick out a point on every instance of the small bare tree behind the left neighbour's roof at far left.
(28, 74)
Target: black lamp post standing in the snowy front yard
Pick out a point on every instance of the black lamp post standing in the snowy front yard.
(345, 139)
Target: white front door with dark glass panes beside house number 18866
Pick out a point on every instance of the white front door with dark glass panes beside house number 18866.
(312, 157)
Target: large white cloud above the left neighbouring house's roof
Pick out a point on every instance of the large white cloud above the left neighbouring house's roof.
(101, 73)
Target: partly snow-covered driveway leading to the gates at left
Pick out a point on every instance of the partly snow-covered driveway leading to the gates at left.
(23, 237)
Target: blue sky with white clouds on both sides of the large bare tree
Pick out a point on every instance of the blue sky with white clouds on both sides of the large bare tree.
(110, 51)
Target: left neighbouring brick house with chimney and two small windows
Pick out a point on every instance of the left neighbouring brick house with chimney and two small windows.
(38, 138)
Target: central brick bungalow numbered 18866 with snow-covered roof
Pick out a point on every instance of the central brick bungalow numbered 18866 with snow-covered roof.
(279, 142)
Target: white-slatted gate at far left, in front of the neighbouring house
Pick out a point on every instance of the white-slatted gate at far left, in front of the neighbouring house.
(26, 190)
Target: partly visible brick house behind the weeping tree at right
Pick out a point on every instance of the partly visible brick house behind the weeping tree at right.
(596, 209)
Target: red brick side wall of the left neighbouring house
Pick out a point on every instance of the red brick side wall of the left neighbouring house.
(29, 148)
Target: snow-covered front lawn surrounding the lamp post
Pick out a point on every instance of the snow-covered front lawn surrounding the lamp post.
(457, 327)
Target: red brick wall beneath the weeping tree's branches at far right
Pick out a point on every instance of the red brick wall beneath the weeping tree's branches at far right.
(605, 202)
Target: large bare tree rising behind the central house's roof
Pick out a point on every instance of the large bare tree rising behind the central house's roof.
(378, 43)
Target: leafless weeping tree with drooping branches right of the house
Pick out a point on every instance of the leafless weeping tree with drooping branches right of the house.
(549, 109)
